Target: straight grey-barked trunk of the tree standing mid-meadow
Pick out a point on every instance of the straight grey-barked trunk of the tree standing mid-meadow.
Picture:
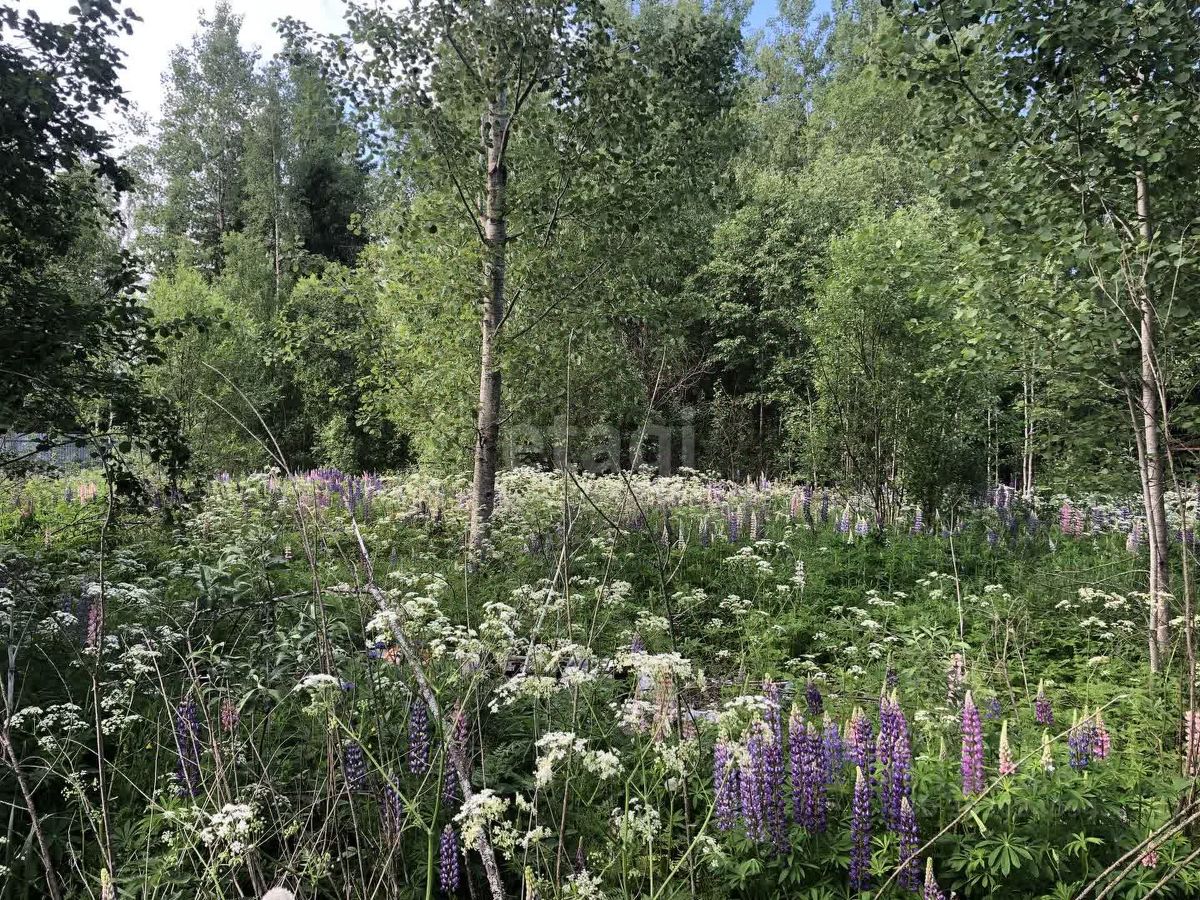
(495, 129)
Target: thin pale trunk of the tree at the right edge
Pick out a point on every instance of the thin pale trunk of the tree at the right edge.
(1151, 460)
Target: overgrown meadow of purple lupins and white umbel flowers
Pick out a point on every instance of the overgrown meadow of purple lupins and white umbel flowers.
(656, 687)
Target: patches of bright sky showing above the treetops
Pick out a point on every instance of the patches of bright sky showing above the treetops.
(170, 23)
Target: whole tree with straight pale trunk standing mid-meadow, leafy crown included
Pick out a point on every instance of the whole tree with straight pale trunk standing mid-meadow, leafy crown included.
(487, 89)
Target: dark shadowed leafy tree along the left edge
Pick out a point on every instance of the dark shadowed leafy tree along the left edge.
(75, 333)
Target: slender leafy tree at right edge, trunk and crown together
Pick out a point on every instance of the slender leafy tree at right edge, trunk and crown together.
(1079, 124)
